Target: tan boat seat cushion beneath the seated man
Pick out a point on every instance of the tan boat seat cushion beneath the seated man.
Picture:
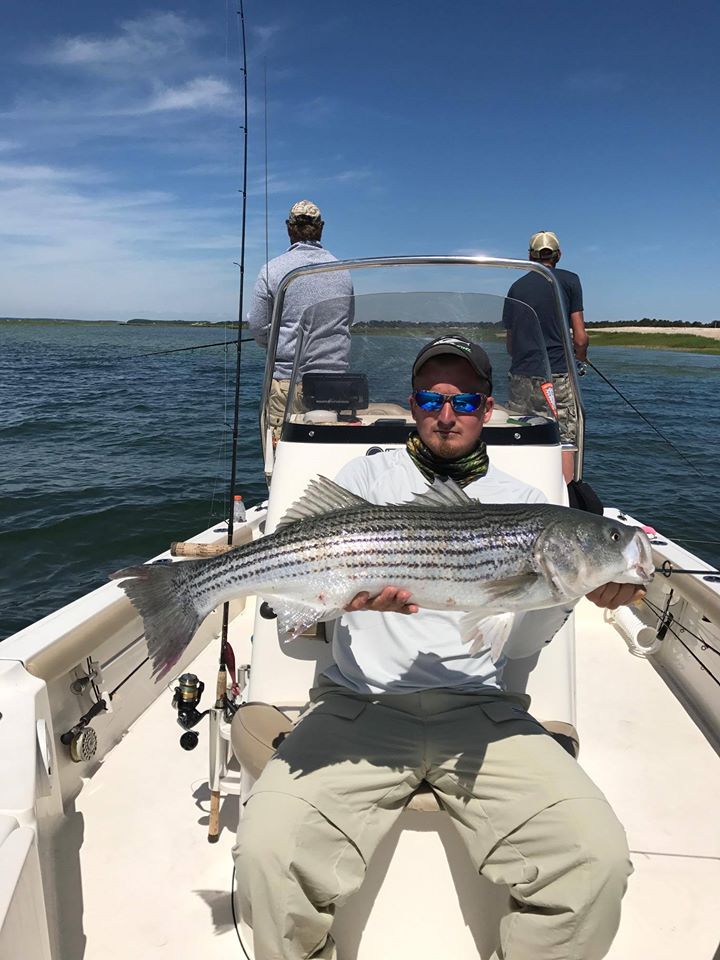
(257, 730)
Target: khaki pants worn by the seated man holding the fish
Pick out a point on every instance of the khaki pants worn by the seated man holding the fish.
(530, 818)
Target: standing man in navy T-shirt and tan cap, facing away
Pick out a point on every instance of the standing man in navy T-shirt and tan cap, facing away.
(535, 291)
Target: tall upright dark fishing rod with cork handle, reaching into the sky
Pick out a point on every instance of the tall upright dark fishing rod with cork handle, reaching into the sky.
(226, 658)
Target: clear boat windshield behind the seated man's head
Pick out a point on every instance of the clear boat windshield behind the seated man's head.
(353, 357)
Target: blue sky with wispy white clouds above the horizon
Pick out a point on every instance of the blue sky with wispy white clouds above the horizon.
(417, 127)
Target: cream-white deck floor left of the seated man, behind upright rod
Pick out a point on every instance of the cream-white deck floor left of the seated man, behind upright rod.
(152, 884)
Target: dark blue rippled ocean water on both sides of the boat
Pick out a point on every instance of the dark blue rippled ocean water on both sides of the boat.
(108, 455)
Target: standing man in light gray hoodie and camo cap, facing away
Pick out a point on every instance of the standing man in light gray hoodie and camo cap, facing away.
(326, 298)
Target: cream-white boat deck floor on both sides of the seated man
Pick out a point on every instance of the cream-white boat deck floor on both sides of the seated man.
(154, 886)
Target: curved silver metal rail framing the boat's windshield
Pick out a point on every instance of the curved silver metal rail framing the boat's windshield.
(430, 260)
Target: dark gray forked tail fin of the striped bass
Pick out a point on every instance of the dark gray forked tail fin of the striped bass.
(161, 595)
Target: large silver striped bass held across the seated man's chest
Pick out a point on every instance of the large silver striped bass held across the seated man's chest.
(449, 551)
